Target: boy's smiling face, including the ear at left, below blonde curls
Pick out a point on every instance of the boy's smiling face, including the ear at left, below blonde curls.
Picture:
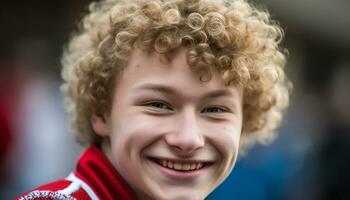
(172, 136)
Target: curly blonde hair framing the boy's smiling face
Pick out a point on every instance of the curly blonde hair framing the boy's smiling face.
(233, 37)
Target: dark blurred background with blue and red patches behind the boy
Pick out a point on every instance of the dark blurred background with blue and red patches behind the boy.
(310, 160)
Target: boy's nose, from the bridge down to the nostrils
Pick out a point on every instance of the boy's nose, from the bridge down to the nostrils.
(186, 137)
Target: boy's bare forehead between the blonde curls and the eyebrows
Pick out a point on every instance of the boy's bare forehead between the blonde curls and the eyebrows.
(156, 69)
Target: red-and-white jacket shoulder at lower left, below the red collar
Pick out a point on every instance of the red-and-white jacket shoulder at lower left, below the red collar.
(71, 188)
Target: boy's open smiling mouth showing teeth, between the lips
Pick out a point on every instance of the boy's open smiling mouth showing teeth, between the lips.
(181, 166)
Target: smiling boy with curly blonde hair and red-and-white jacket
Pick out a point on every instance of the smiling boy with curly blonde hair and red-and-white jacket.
(163, 93)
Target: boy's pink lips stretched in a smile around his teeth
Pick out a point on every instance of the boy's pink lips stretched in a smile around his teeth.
(180, 175)
